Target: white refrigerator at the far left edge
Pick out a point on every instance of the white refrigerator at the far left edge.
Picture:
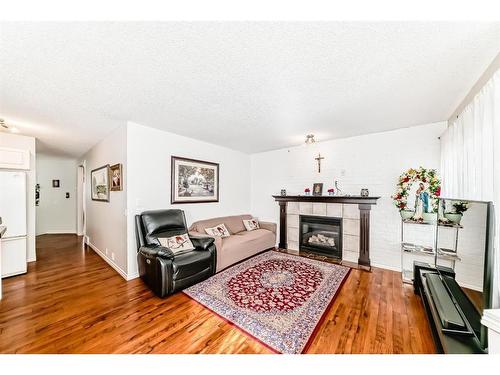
(13, 213)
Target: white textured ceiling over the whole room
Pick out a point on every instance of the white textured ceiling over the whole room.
(247, 86)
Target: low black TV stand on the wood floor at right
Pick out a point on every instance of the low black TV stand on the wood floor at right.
(454, 321)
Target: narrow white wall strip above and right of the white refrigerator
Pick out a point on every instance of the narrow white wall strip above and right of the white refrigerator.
(26, 143)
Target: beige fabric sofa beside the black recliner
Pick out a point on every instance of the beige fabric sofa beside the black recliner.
(241, 244)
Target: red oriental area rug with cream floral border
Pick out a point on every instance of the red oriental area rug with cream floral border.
(275, 297)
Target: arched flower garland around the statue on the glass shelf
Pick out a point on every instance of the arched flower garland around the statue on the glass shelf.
(427, 176)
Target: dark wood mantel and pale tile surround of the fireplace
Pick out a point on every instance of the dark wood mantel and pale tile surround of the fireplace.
(353, 210)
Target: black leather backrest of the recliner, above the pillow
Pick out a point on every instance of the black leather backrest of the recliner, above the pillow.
(159, 223)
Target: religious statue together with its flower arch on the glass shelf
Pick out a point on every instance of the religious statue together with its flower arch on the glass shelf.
(426, 202)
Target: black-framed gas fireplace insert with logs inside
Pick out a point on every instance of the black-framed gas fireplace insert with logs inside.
(321, 235)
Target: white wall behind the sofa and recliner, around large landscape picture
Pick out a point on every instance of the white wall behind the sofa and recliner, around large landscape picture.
(148, 156)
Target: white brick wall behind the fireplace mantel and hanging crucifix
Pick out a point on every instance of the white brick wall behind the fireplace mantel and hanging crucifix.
(372, 161)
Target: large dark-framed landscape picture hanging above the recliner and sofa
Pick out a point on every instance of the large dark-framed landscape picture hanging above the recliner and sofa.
(194, 181)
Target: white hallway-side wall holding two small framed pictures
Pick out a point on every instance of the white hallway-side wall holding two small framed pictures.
(106, 224)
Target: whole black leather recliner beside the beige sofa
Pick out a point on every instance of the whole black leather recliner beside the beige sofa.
(164, 272)
